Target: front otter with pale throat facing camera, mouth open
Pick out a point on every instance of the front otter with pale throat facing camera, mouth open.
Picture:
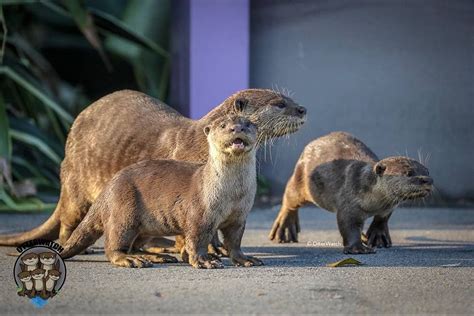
(169, 197)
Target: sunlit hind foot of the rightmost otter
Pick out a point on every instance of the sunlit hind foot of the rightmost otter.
(285, 228)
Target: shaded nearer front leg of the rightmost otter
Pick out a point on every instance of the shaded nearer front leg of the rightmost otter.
(350, 226)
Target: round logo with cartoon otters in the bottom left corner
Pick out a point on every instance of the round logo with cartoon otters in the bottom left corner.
(39, 273)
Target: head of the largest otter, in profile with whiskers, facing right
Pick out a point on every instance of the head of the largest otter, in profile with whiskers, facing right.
(273, 113)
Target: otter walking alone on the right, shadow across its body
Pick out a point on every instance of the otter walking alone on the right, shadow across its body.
(341, 174)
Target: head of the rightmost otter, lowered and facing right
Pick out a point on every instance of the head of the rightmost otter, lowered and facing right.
(403, 178)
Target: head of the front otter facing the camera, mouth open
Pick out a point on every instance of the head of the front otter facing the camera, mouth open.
(231, 137)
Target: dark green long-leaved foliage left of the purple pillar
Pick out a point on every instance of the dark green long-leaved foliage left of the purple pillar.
(40, 92)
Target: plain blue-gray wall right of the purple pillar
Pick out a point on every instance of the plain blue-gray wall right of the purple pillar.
(397, 74)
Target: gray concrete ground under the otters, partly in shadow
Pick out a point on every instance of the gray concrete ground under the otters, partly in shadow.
(414, 276)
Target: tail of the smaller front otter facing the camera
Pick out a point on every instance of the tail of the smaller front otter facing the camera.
(88, 231)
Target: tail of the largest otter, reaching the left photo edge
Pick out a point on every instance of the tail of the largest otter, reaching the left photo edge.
(48, 230)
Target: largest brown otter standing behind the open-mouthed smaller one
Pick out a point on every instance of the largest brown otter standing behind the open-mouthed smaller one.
(126, 127)
